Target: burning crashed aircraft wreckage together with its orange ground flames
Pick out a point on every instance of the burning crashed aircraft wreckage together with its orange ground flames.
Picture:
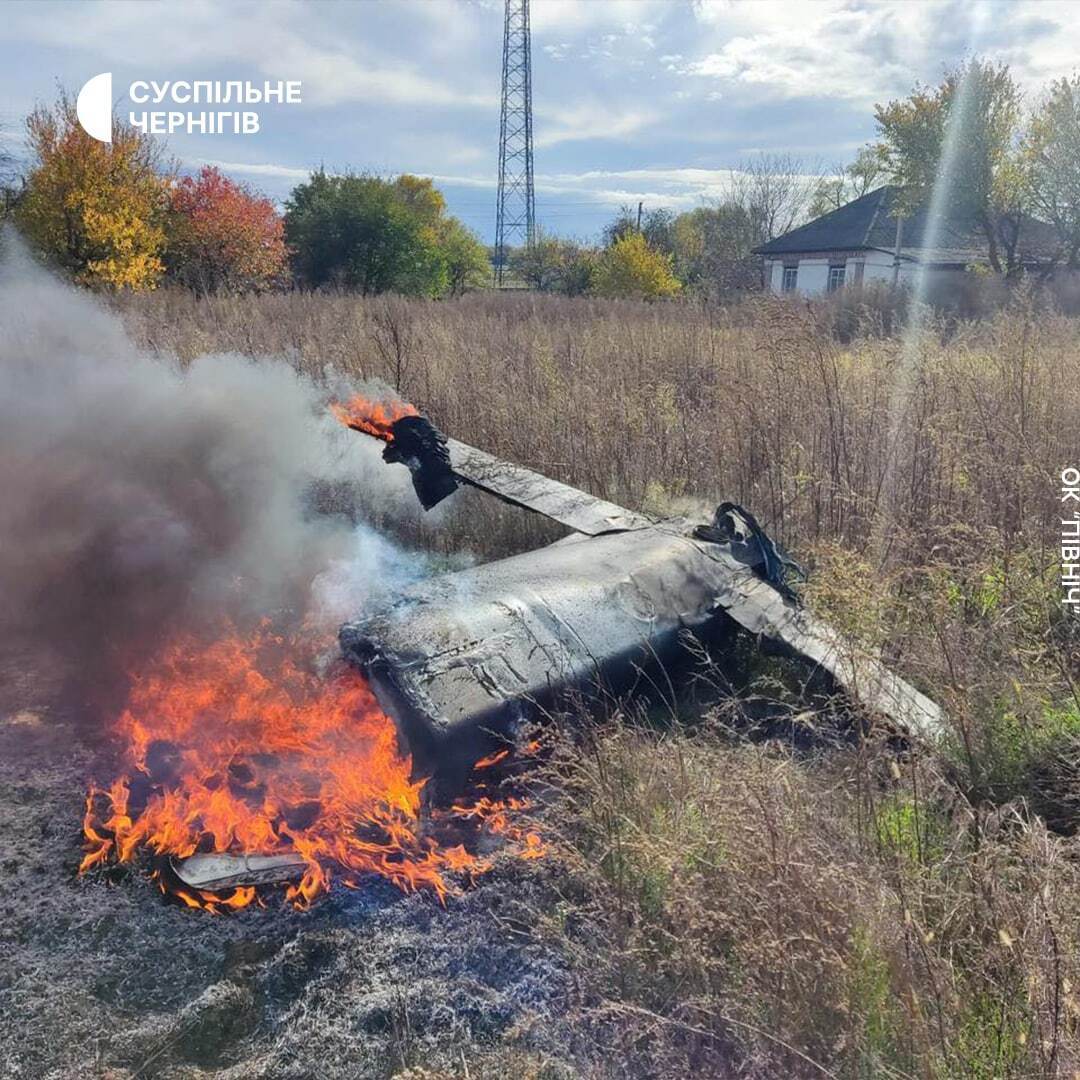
(462, 664)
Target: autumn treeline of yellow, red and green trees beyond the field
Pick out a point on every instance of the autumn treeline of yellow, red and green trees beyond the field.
(120, 217)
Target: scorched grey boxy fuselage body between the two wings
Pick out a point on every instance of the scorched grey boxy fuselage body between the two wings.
(462, 658)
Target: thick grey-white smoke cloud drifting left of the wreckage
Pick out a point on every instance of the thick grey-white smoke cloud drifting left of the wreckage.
(139, 497)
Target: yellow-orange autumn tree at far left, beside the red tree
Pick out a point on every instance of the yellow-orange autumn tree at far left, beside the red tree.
(97, 210)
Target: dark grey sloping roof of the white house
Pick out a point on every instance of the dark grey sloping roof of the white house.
(870, 224)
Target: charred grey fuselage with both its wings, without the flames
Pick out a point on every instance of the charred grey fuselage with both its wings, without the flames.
(463, 660)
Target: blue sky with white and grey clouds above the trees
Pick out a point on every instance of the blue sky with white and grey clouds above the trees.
(651, 100)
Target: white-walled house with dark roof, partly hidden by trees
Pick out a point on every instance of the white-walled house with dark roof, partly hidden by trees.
(866, 242)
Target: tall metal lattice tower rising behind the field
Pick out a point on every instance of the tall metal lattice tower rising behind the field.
(516, 217)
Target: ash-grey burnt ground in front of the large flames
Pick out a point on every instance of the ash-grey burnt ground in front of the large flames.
(103, 977)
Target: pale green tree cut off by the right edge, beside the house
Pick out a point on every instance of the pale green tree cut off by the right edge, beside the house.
(1051, 147)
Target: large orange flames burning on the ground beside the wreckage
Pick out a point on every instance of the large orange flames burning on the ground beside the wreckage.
(242, 747)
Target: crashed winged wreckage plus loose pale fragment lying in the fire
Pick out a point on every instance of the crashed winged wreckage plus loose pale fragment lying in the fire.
(465, 663)
